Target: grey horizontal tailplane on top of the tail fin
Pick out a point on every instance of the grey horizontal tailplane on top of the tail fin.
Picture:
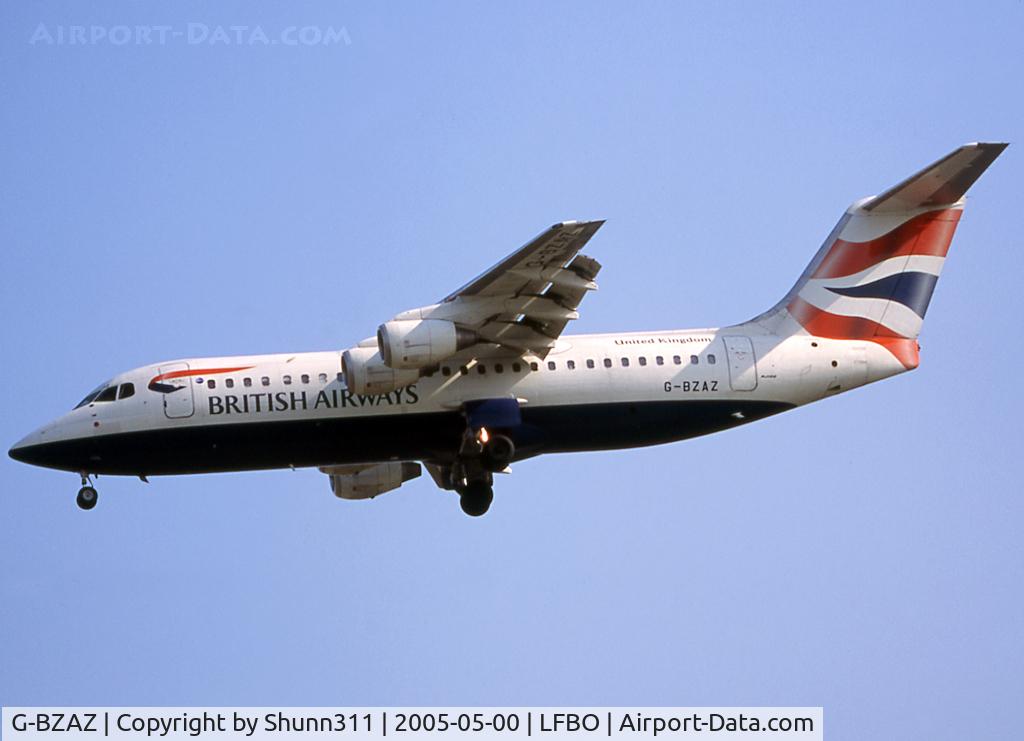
(941, 184)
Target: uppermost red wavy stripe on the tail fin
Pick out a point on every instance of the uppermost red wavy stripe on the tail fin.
(925, 235)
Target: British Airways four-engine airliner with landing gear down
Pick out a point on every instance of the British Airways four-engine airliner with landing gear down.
(486, 378)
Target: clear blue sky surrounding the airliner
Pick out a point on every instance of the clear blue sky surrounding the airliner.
(187, 200)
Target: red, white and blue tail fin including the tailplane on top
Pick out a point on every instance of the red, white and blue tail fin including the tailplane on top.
(874, 277)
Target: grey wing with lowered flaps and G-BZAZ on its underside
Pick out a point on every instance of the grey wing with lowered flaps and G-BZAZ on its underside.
(525, 302)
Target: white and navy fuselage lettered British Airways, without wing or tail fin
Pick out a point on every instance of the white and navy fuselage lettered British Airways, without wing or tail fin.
(740, 367)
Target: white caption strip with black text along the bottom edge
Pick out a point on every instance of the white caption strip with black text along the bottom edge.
(550, 724)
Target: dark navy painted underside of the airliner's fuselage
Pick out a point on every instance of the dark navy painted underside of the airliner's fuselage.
(432, 435)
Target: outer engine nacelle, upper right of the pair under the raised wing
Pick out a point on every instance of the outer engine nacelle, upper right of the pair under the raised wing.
(420, 343)
